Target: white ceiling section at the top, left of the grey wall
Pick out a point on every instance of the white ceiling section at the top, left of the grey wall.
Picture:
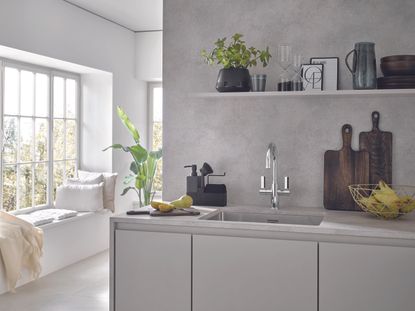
(137, 15)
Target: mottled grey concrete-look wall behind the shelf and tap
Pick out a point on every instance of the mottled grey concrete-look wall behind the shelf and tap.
(233, 134)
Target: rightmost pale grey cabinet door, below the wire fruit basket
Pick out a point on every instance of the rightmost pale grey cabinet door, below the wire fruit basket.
(370, 278)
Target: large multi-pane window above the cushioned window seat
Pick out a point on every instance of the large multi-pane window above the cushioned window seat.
(39, 111)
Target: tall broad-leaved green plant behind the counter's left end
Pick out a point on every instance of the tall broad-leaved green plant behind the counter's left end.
(144, 164)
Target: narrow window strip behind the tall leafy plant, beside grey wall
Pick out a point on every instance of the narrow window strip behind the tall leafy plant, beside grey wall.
(155, 91)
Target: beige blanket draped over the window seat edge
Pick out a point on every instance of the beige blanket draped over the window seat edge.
(20, 247)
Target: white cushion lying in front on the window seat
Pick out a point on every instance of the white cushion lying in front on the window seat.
(81, 198)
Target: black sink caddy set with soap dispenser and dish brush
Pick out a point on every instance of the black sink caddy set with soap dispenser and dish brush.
(205, 194)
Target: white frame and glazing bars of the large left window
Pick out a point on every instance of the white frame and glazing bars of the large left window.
(50, 73)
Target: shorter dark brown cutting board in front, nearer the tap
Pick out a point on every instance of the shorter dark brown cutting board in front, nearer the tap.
(342, 168)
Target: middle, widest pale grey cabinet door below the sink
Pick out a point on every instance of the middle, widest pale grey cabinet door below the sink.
(247, 274)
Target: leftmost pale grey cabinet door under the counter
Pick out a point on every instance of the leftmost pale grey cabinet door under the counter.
(152, 271)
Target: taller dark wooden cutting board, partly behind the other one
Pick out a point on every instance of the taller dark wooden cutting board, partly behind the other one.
(379, 146)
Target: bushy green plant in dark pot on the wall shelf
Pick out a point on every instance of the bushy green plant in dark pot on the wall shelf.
(235, 59)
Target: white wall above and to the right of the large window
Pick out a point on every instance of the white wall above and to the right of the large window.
(59, 30)
